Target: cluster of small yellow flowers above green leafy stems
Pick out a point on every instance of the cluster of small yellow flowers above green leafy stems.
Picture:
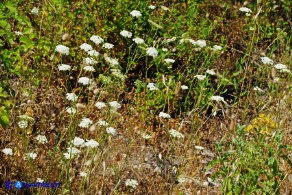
(263, 123)
